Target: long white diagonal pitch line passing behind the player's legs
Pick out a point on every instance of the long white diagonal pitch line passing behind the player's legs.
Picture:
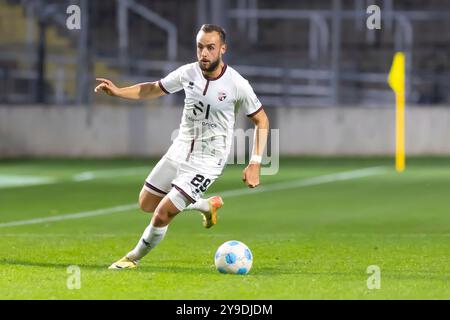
(348, 175)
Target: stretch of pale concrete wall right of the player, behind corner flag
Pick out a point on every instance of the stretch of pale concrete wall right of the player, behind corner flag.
(362, 131)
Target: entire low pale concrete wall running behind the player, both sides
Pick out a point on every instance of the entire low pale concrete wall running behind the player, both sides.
(143, 131)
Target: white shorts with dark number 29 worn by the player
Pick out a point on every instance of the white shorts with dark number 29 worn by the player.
(181, 182)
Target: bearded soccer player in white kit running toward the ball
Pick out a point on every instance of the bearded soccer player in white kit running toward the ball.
(214, 93)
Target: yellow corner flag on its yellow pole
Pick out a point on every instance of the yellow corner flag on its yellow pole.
(397, 82)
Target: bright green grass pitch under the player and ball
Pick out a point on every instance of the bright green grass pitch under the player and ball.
(309, 241)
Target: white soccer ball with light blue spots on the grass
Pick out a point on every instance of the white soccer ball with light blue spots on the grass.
(233, 257)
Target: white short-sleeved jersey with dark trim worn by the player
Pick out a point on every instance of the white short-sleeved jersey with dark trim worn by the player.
(210, 108)
